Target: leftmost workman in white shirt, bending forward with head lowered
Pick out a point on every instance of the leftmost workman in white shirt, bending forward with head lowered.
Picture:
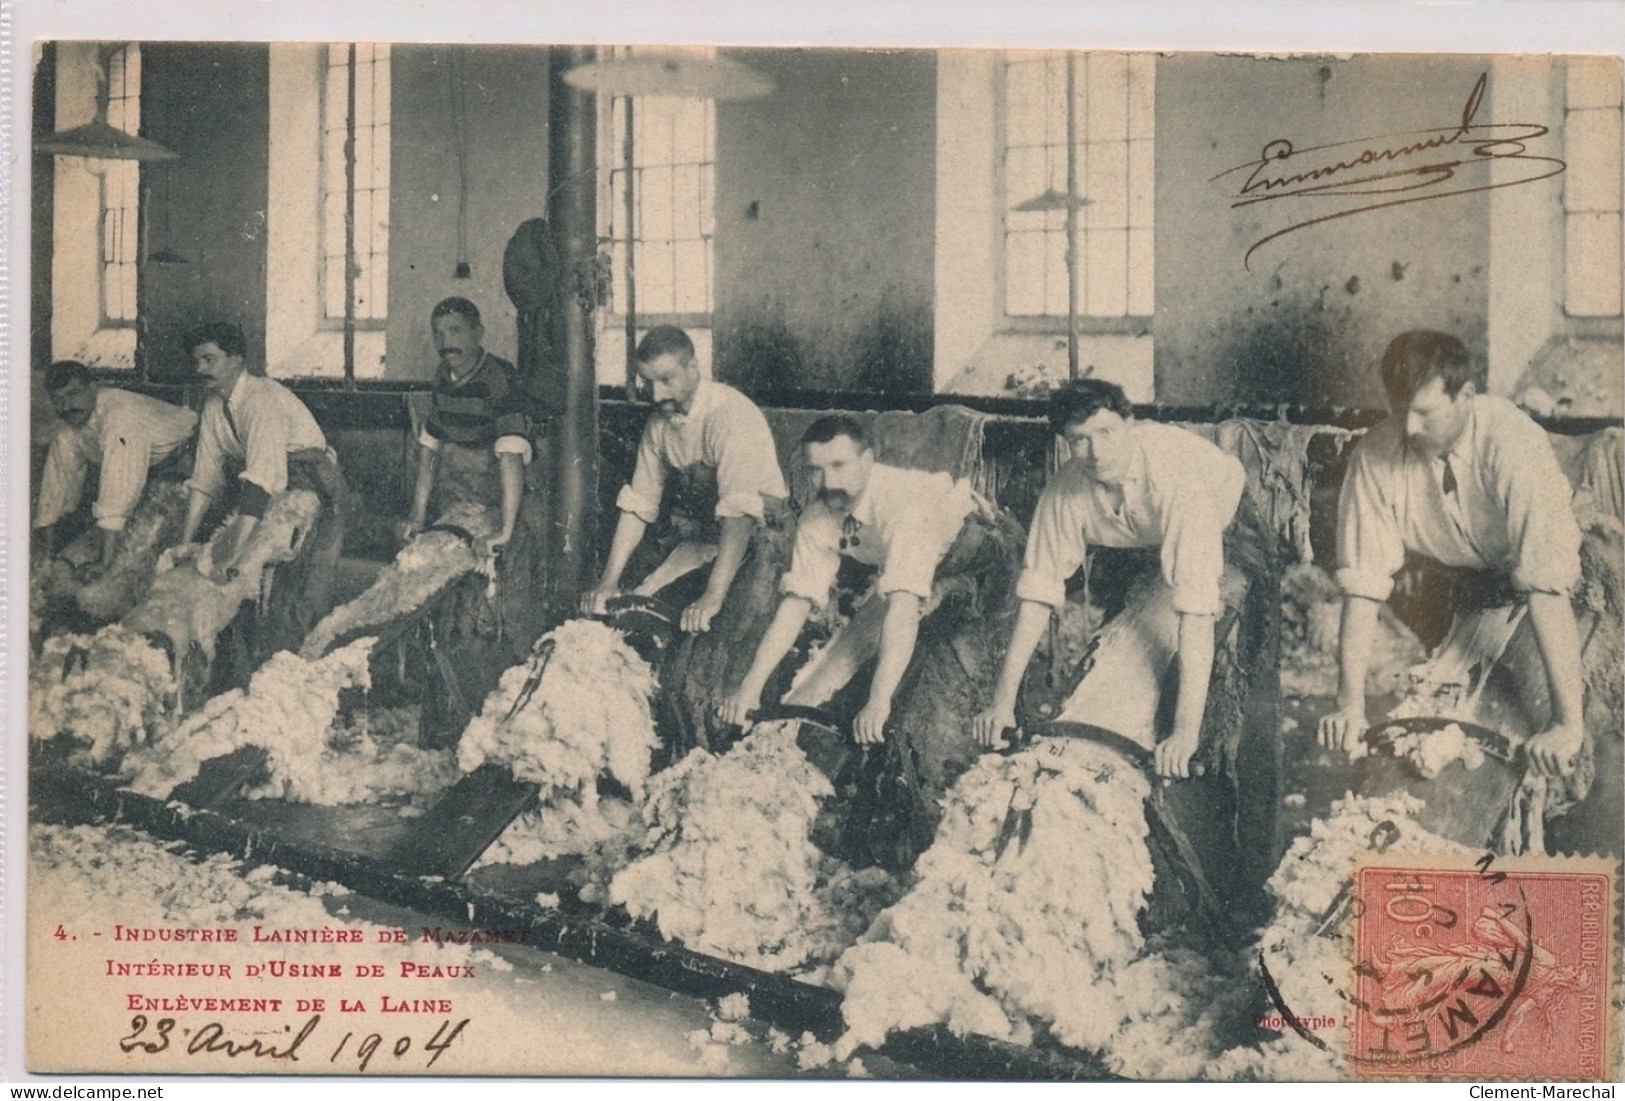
(121, 433)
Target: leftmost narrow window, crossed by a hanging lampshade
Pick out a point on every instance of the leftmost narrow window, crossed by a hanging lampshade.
(121, 207)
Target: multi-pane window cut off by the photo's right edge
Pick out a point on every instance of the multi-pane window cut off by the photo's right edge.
(1592, 192)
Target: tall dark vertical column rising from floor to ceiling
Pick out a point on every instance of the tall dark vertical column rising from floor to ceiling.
(573, 215)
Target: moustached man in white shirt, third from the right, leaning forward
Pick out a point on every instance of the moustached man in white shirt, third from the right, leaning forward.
(906, 524)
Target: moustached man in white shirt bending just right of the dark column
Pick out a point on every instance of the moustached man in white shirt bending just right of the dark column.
(709, 465)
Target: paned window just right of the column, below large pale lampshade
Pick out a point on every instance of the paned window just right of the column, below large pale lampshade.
(672, 192)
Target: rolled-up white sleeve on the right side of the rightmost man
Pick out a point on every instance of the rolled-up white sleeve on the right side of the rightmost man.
(1541, 527)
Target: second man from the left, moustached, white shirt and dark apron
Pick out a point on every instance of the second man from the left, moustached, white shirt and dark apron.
(258, 428)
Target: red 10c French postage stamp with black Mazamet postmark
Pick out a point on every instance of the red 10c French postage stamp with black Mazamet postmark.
(1484, 972)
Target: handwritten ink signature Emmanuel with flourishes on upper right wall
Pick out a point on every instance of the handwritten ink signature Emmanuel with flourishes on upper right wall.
(1411, 166)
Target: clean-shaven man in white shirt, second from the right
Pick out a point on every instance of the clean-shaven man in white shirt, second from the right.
(1127, 485)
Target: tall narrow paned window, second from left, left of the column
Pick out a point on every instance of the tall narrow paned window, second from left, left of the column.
(366, 176)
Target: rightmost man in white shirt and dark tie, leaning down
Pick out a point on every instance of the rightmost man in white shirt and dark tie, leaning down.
(1470, 481)
